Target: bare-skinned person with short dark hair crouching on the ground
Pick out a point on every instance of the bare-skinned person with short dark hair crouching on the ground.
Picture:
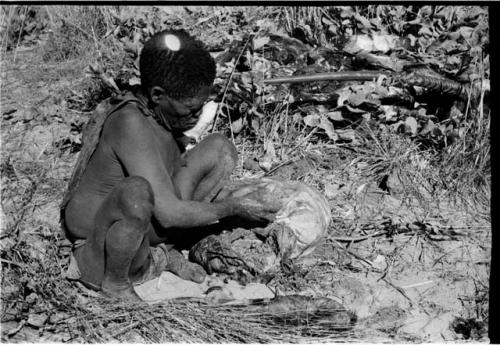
(134, 186)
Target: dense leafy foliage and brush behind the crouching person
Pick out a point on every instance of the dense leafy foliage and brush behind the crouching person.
(251, 44)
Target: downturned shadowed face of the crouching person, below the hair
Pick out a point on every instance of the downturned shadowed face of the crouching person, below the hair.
(182, 114)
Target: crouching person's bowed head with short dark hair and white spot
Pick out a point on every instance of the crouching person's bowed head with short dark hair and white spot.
(176, 74)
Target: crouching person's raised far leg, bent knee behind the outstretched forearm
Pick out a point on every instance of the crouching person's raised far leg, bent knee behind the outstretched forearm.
(206, 168)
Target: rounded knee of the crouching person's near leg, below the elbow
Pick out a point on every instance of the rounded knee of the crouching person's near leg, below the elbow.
(136, 199)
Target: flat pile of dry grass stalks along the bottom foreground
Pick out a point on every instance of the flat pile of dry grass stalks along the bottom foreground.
(192, 322)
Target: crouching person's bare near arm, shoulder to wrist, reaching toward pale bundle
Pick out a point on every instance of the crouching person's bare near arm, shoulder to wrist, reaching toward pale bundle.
(131, 136)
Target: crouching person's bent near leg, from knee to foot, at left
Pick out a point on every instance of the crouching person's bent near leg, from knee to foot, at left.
(118, 248)
